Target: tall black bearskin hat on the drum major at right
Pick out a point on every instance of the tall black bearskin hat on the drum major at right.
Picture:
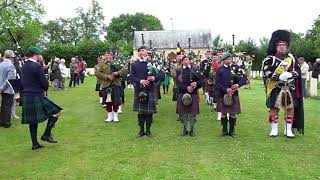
(277, 36)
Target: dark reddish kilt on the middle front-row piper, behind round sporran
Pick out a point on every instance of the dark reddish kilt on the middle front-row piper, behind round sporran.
(193, 108)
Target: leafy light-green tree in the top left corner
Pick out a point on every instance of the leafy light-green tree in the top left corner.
(22, 16)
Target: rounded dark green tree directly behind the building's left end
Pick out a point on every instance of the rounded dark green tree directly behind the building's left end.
(123, 26)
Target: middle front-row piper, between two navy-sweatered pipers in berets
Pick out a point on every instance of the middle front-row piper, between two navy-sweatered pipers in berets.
(189, 80)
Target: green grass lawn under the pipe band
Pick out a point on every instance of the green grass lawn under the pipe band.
(89, 148)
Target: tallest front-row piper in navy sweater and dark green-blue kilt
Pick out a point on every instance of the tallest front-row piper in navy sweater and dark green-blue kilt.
(145, 91)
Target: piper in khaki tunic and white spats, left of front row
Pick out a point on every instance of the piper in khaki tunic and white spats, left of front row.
(109, 74)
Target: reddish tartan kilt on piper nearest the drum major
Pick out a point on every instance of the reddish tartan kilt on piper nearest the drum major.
(233, 109)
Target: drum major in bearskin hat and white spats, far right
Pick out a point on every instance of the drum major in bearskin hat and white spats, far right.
(282, 79)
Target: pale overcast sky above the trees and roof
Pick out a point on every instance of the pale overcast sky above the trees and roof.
(243, 18)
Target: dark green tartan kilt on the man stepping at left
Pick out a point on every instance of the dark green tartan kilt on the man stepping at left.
(37, 109)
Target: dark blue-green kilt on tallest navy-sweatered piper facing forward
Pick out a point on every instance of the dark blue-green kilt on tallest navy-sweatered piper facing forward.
(148, 107)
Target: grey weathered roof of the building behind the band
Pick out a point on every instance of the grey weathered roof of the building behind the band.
(169, 39)
